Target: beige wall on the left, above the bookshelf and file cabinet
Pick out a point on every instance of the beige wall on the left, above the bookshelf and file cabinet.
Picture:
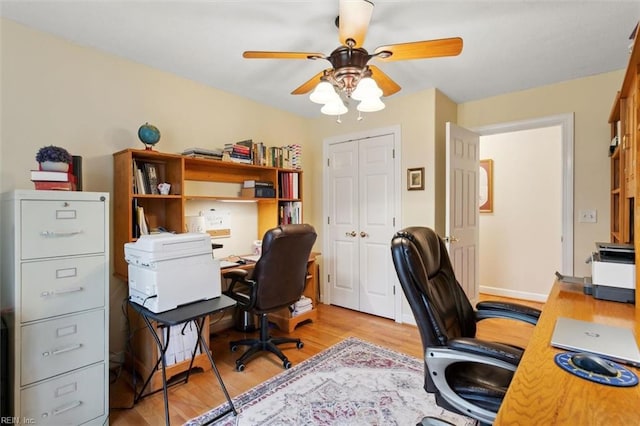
(92, 103)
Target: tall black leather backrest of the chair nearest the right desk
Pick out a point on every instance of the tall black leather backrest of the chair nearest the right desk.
(438, 302)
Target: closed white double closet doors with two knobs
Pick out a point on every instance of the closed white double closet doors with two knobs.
(361, 222)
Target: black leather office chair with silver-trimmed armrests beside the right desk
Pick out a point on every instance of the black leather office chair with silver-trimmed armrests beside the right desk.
(467, 375)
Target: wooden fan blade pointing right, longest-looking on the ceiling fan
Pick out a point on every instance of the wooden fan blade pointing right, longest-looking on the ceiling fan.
(421, 49)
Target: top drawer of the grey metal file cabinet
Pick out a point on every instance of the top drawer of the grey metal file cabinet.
(61, 228)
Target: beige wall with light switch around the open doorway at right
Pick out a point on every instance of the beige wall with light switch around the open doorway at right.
(590, 99)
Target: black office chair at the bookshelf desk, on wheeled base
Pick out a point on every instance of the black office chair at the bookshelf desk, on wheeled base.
(277, 282)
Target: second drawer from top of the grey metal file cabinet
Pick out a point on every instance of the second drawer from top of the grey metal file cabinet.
(61, 286)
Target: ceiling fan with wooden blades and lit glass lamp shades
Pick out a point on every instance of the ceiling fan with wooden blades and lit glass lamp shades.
(351, 73)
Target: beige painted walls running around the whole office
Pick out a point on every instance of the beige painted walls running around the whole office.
(92, 103)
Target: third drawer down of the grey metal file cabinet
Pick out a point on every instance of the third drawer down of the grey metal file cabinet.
(62, 344)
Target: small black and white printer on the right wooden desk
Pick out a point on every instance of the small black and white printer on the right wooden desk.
(613, 272)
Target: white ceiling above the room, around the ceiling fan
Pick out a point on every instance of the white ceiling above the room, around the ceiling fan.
(508, 45)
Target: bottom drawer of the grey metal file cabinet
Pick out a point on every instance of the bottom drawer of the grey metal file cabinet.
(71, 399)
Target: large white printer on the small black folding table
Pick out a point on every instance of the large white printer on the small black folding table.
(168, 270)
